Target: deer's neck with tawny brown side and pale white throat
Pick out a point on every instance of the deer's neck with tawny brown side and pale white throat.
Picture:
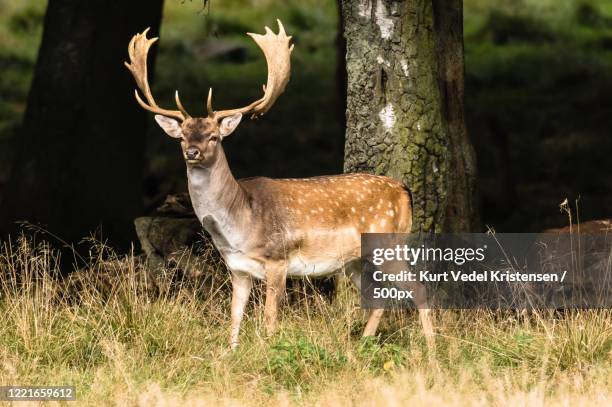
(219, 202)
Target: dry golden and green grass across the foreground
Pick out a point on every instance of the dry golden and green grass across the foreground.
(163, 341)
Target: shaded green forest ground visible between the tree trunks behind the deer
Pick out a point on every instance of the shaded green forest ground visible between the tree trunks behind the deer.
(538, 86)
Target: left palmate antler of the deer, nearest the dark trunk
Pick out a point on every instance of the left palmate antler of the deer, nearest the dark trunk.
(138, 51)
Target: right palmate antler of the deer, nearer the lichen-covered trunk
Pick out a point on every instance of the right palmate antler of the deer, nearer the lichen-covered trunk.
(278, 58)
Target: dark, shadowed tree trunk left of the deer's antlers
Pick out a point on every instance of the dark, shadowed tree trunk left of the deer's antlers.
(80, 161)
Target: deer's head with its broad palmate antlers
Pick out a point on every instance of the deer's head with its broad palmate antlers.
(201, 136)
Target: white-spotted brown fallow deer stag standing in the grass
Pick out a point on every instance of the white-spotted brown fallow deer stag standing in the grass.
(272, 229)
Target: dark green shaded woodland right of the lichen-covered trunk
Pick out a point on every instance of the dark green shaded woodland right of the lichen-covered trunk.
(538, 76)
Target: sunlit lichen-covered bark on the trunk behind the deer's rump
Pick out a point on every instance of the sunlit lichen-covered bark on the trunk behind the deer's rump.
(395, 113)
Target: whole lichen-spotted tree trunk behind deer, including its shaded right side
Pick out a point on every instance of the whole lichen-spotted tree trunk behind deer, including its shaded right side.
(405, 105)
